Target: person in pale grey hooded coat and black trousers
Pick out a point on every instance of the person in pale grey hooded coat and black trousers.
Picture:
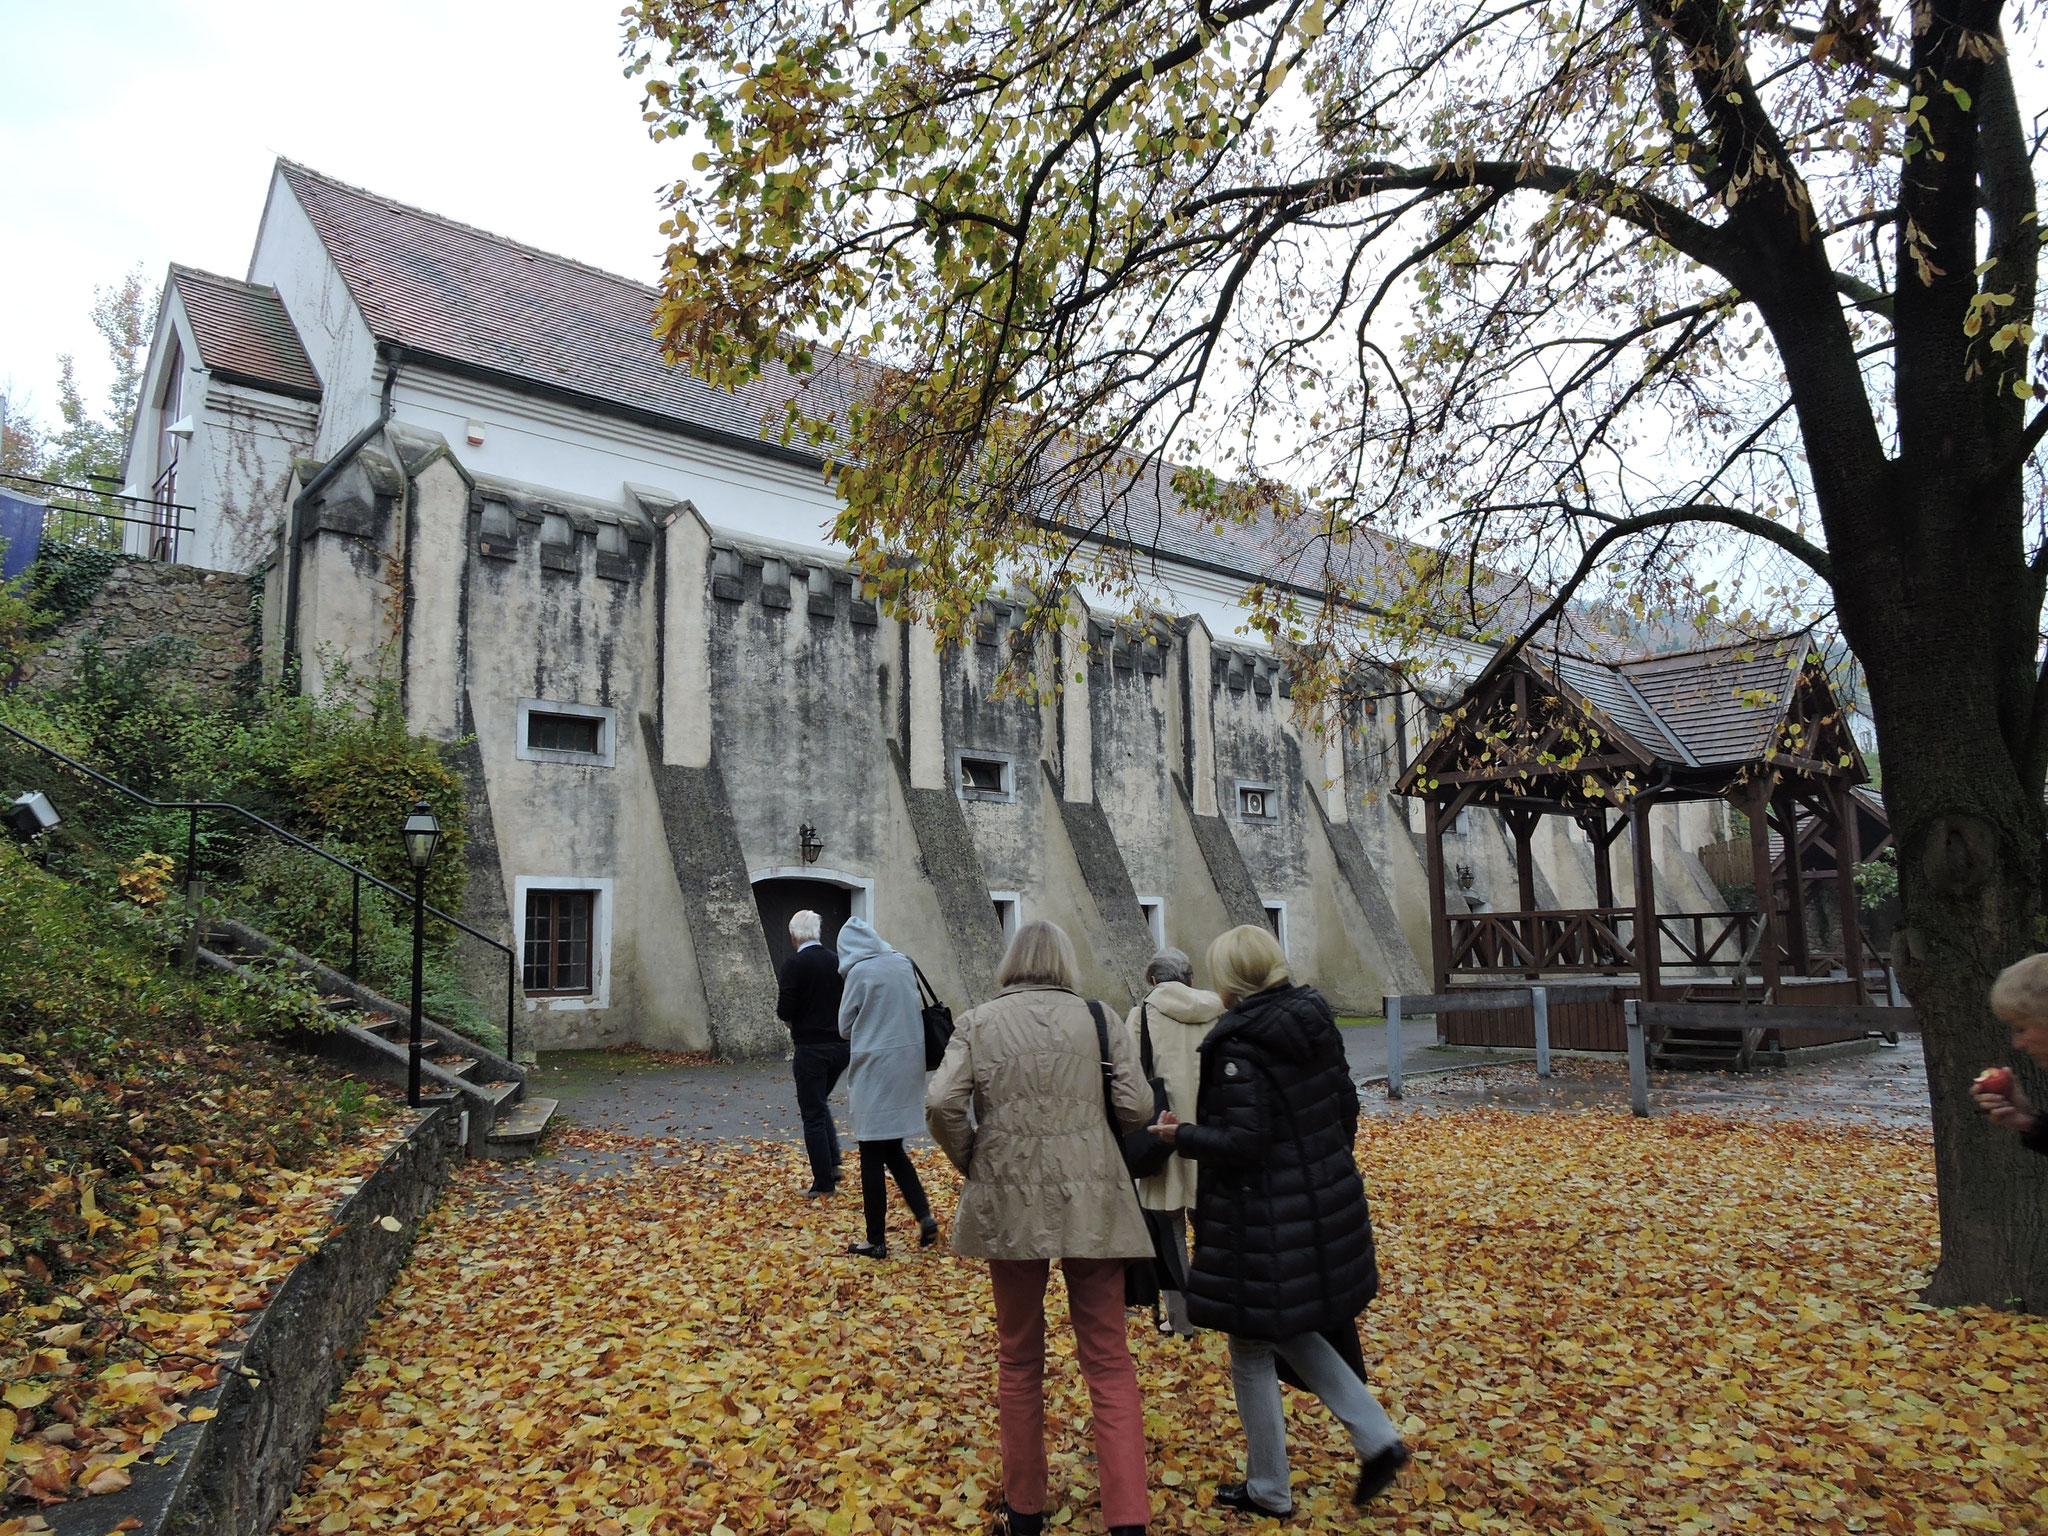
(884, 1025)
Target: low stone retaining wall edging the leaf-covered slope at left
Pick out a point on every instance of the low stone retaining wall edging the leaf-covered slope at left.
(234, 1474)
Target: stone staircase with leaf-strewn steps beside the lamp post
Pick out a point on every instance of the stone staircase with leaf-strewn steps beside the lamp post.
(374, 1035)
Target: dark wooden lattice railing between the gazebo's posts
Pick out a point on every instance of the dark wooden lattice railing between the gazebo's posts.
(1596, 941)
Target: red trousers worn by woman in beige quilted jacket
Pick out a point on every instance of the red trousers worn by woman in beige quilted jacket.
(1097, 1304)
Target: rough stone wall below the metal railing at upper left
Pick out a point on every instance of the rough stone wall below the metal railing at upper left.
(146, 599)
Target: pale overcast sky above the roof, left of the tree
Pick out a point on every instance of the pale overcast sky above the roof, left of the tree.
(146, 134)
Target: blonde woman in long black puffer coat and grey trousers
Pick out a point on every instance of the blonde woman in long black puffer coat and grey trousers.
(1283, 1242)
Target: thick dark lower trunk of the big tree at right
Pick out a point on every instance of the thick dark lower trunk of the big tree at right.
(1969, 833)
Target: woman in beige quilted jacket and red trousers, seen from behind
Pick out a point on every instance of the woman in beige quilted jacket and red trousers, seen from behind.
(1019, 1107)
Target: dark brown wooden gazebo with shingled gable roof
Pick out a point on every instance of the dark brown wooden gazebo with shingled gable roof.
(1605, 742)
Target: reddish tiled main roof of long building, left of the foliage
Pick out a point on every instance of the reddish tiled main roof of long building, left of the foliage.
(490, 304)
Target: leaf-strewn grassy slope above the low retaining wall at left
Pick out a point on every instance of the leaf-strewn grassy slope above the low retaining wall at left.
(161, 1168)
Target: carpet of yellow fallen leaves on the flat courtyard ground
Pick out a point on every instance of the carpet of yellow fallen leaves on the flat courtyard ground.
(1588, 1324)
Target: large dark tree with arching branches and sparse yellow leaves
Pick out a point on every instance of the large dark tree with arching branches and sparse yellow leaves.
(1580, 294)
